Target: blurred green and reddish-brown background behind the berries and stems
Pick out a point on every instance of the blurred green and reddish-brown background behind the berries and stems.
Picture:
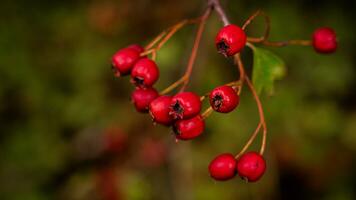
(68, 130)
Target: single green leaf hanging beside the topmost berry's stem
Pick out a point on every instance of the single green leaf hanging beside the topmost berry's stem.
(267, 67)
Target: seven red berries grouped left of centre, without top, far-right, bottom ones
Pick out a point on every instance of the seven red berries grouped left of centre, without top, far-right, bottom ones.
(181, 111)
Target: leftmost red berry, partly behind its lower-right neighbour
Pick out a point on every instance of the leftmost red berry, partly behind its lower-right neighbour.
(123, 61)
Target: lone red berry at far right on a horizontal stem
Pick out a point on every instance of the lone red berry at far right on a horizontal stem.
(324, 40)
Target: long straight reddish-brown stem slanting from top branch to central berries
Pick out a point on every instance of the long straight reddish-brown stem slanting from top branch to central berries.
(195, 48)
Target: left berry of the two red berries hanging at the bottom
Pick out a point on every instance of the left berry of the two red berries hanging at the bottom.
(223, 167)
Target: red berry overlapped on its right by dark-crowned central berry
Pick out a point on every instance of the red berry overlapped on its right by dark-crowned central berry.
(159, 110)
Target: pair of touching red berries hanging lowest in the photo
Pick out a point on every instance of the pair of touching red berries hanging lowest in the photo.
(250, 166)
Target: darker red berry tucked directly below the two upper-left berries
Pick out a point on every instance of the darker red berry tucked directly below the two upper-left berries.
(142, 98)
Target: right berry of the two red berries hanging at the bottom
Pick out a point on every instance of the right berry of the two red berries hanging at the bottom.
(251, 166)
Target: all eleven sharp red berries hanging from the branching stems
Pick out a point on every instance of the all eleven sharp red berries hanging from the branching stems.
(182, 111)
